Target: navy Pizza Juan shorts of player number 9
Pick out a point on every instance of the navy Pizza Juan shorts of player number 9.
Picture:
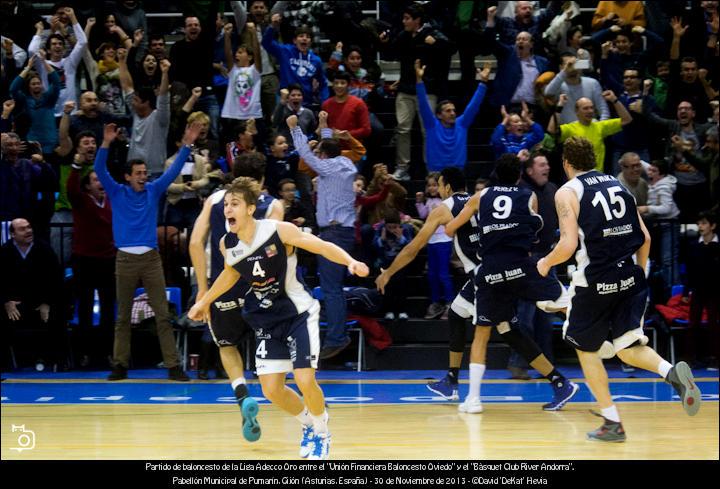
(499, 286)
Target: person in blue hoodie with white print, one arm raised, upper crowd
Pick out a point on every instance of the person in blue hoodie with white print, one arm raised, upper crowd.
(298, 64)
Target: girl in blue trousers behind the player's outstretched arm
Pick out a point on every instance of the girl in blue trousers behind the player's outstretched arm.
(439, 252)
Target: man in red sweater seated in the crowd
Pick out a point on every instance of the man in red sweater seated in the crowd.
(345, 111)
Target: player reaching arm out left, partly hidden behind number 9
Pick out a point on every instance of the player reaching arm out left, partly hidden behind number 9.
(452, 189)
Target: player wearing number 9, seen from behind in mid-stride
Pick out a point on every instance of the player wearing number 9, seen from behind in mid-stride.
(507, 222)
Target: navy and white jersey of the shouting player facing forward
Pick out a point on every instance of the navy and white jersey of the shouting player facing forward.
(274, 293)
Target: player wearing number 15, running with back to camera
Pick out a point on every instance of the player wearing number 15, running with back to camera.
(608, 290)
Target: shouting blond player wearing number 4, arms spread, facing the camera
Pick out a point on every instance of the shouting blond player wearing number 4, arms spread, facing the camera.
(278, 307)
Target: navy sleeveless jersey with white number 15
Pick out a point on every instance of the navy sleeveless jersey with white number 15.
(608, 223)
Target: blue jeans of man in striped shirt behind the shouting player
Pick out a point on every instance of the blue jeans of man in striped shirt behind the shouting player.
(332, 276)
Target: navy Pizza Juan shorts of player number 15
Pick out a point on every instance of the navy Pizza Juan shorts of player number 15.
(608, 310)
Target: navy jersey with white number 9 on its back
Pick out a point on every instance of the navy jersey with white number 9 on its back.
(507, 223)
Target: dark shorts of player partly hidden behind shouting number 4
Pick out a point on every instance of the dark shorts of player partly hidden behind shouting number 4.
(227, 326)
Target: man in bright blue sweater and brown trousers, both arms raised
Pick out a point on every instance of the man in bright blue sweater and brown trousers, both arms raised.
(134, 228)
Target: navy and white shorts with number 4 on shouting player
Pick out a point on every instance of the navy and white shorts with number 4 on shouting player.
(287, 345)
